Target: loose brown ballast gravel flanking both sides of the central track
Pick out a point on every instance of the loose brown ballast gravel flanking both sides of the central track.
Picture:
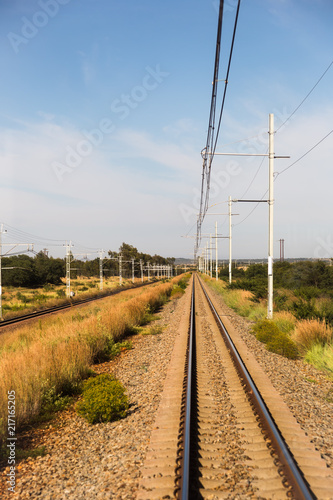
(103, 461)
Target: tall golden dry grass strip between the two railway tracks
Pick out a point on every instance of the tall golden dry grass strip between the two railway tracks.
(55, 353)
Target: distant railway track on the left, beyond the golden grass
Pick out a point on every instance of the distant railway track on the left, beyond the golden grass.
(68, 305)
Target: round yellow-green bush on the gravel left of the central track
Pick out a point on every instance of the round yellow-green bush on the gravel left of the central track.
(104, 400)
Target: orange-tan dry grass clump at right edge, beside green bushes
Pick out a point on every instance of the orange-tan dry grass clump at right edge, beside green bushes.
(310, 332)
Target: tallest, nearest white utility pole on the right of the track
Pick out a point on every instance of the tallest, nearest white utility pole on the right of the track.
(270, 217)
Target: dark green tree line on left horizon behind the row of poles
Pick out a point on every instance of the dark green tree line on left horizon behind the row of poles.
(26, 271)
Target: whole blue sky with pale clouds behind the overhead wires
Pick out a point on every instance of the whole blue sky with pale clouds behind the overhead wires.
(105, 108)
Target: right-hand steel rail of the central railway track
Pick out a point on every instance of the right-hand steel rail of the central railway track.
(299, 485)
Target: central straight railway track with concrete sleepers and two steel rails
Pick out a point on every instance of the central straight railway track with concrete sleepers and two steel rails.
(222, 430)
